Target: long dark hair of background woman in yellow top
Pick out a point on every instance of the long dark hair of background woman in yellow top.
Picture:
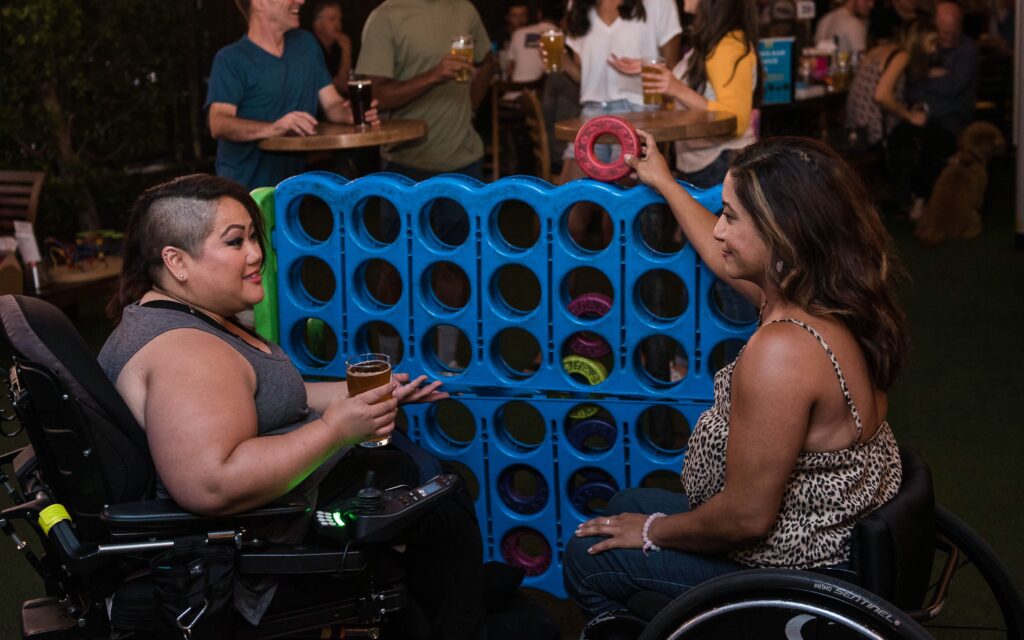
(714, 21)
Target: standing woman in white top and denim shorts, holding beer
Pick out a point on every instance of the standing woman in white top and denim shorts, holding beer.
(601, 31)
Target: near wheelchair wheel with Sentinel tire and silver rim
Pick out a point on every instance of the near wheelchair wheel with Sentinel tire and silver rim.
(782, 604)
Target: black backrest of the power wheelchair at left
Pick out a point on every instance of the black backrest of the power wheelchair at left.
(90, 447)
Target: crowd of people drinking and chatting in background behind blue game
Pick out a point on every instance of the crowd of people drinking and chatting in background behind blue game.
(914, 91)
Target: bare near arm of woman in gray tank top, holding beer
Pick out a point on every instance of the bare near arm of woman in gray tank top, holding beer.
(201, 422)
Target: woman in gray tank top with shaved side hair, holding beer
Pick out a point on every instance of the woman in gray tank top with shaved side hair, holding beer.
(230, 421)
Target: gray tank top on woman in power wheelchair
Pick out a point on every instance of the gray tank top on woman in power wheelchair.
(281, 394)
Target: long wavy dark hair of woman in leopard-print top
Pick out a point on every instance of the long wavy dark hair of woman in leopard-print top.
(829, 252)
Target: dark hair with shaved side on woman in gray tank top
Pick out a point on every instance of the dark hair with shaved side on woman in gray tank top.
(180, 214)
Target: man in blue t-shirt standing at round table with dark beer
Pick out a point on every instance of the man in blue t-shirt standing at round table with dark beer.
(270, 83)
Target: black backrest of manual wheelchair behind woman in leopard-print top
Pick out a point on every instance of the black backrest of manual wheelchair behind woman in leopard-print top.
(892, 549)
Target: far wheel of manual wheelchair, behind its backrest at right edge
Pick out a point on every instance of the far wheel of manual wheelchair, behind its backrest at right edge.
(985, 602)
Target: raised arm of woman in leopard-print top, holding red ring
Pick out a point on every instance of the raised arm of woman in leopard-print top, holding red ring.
(698, 224)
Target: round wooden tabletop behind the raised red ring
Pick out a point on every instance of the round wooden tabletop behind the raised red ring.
(666, 126)
